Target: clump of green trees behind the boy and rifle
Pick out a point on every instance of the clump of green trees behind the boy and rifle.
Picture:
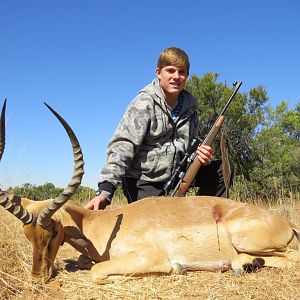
(263, 142)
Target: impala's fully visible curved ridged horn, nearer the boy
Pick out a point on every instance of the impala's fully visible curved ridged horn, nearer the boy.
(44, 218)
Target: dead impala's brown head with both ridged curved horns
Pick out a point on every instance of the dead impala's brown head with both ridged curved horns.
(40, 228)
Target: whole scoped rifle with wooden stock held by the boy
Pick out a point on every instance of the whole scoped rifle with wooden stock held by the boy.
(189, 163)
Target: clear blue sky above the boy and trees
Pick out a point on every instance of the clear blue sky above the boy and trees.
(88, 59)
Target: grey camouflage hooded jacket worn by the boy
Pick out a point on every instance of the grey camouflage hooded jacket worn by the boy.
(148, 144)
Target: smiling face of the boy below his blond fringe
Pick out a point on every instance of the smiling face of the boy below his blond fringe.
(172, 79)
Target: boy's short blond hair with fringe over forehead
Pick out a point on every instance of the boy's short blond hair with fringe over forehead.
(173, 57)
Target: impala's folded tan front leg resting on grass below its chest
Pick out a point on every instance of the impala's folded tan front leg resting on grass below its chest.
(132, 264)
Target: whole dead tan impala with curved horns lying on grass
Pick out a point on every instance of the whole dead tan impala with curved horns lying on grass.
(151, 236)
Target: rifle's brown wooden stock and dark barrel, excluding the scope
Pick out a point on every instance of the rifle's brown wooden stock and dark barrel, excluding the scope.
(195, 164)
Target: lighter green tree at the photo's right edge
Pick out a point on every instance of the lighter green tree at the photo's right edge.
(277, 144)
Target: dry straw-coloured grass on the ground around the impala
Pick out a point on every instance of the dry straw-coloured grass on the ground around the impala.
(15, 266)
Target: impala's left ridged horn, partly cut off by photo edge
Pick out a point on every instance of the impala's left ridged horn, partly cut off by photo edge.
(14, 208)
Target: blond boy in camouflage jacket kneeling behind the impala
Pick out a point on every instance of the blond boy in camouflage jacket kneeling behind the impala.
(152, 137)
